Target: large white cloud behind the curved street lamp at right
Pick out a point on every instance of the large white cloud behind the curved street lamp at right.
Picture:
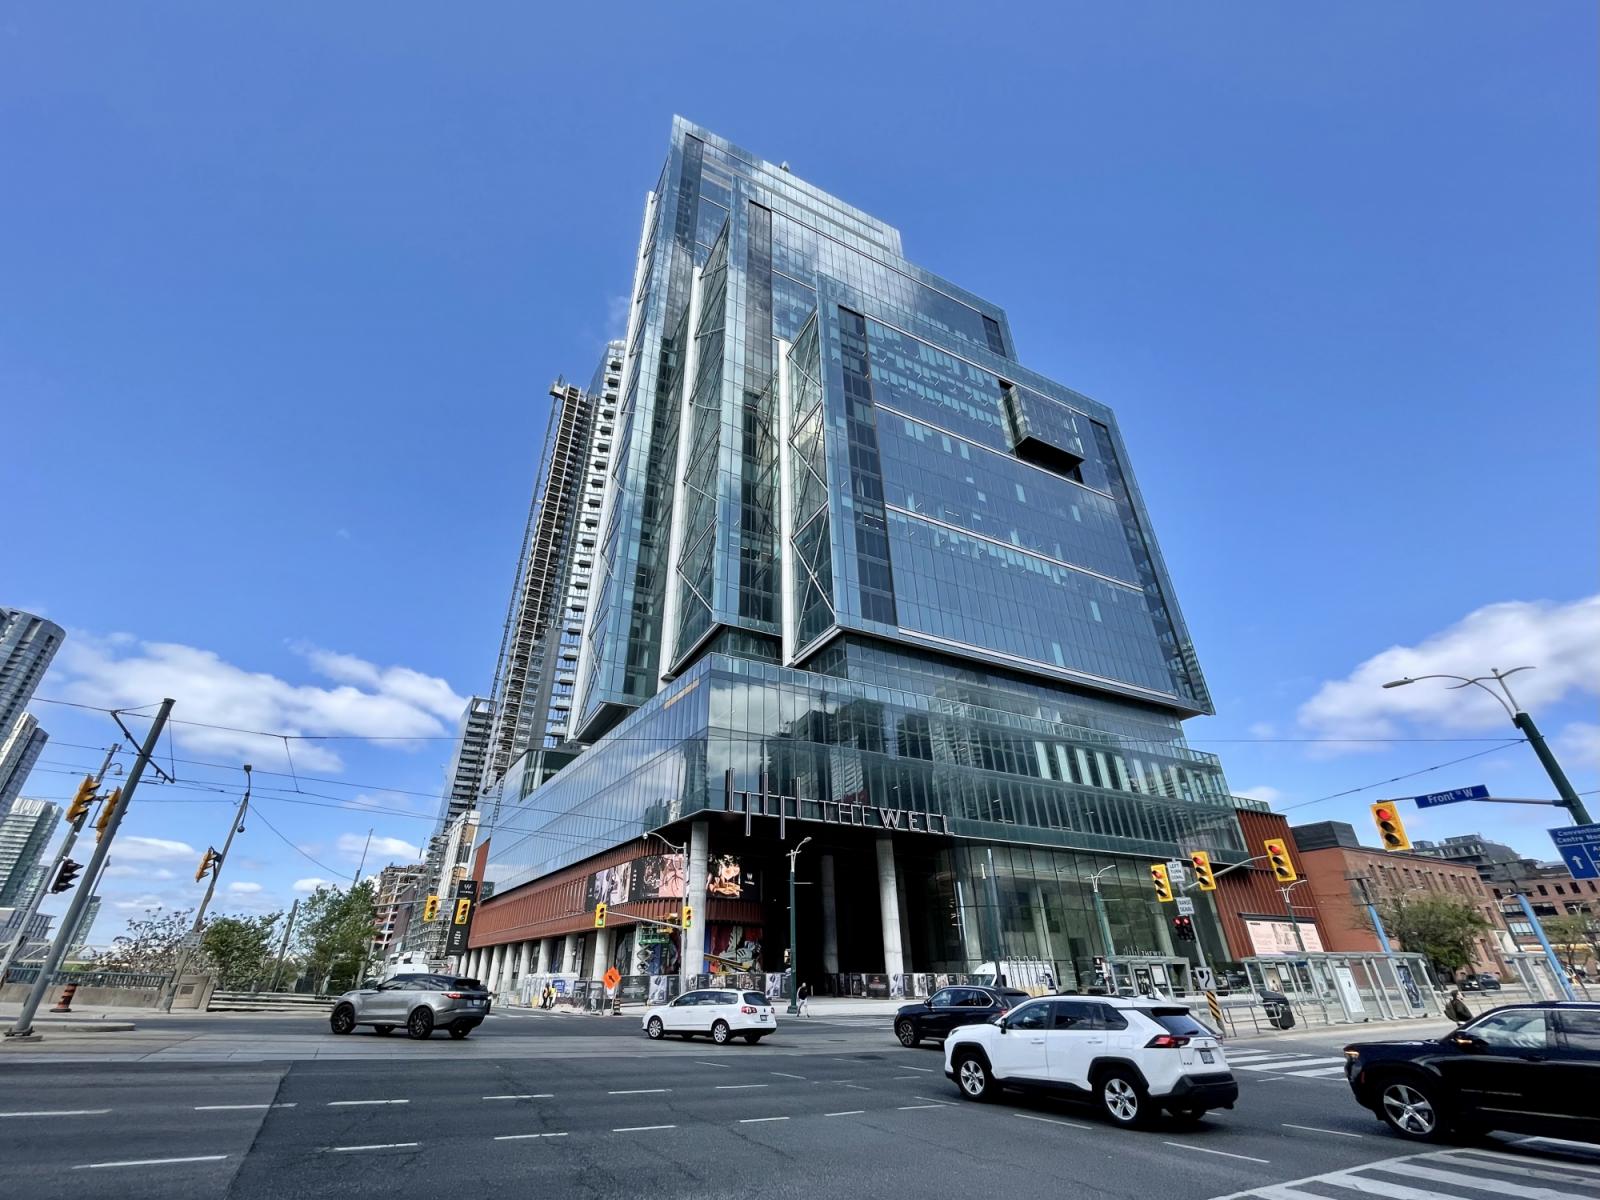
(1561, 641)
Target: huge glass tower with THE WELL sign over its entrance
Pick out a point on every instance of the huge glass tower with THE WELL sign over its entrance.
(868, 580)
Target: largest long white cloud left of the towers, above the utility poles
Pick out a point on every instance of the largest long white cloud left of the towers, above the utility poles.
(369, 702)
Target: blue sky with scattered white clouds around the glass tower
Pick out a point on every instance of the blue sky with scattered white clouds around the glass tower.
(282, 294)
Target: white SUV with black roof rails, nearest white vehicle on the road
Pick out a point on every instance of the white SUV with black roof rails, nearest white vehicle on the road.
(1130, 1057)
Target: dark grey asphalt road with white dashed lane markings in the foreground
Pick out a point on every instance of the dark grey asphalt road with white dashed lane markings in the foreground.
(818, 1110)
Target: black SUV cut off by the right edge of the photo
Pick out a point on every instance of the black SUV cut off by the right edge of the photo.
(1521, 1070)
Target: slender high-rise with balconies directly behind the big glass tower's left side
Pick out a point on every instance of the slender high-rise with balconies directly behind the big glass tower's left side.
(538, 662)
